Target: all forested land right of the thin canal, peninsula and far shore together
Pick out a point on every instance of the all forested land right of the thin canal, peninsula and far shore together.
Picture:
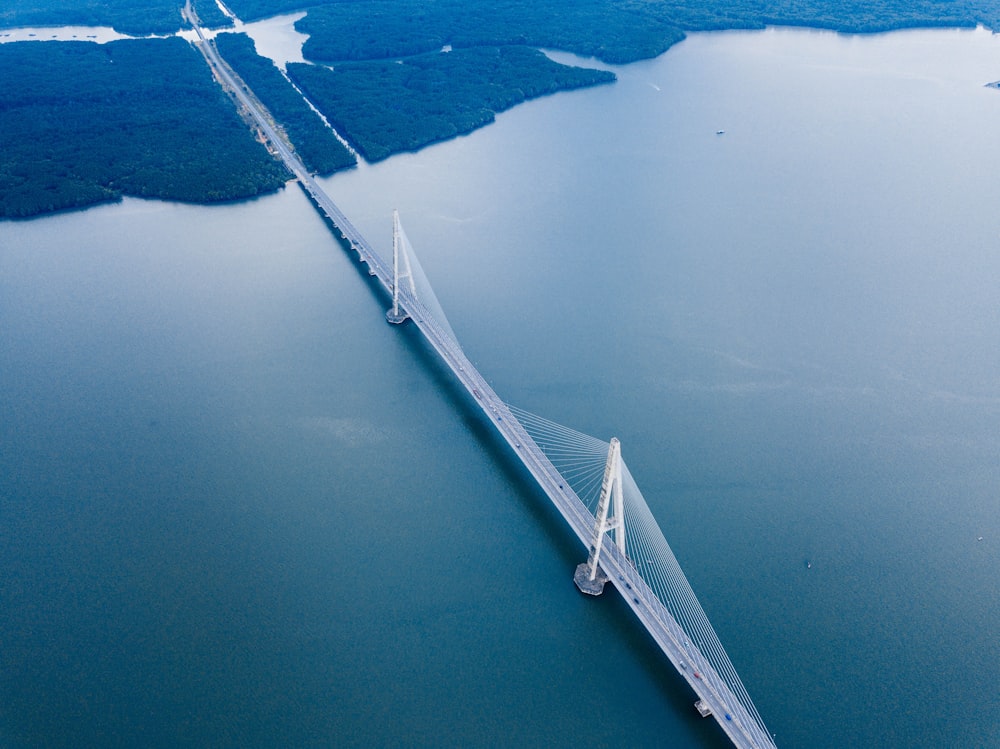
(391, 89)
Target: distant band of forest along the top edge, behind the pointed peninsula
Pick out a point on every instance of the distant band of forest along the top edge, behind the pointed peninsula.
(613, 30)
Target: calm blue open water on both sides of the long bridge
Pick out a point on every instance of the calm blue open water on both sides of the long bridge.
(238, 509)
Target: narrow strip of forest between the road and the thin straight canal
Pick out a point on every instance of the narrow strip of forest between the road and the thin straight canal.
(315, 143)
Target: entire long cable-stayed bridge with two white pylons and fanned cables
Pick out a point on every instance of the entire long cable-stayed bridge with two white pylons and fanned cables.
(636, 559)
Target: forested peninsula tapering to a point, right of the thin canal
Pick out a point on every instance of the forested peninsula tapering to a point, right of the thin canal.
(385, 107)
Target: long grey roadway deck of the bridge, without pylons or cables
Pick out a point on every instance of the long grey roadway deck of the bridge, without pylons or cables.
(737, 722)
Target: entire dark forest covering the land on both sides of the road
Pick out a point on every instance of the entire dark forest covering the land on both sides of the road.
(82, 123)
